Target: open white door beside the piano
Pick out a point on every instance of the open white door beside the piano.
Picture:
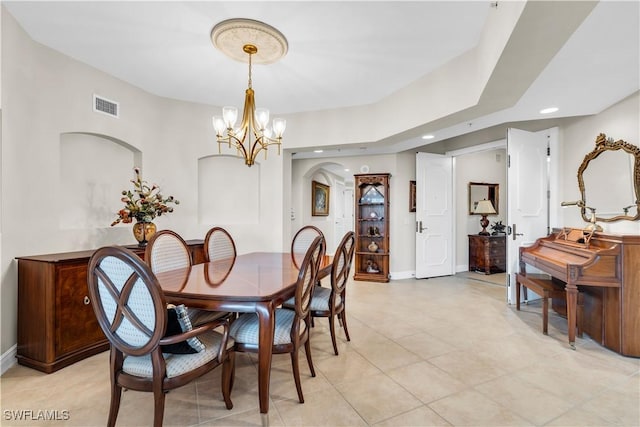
(528, 191)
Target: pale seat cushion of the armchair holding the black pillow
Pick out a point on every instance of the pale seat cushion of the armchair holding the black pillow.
(178, 364)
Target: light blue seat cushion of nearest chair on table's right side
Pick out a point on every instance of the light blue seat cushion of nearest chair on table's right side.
(244, 329)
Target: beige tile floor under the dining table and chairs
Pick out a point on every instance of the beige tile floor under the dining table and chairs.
(436, 352)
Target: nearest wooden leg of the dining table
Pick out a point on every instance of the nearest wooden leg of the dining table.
(266, 320)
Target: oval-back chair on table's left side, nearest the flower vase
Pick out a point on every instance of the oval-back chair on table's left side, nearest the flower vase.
(167, 250)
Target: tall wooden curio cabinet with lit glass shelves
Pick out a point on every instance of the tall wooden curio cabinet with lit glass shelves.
(372, 227)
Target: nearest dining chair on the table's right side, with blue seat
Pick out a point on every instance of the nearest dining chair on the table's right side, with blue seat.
(291, 326)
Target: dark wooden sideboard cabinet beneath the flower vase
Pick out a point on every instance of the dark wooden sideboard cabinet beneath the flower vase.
(56, 322)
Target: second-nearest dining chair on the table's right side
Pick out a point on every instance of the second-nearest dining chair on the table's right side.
(331, 303)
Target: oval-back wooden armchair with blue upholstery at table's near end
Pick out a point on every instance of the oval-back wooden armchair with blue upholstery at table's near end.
(132, 312)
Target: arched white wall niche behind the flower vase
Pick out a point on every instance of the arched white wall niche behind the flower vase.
(94, 169)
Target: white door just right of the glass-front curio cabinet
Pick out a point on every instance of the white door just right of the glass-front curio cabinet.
(434, 215)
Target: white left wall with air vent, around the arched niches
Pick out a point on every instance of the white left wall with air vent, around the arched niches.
(47, 95)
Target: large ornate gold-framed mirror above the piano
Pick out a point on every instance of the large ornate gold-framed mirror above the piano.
(609, 181)
